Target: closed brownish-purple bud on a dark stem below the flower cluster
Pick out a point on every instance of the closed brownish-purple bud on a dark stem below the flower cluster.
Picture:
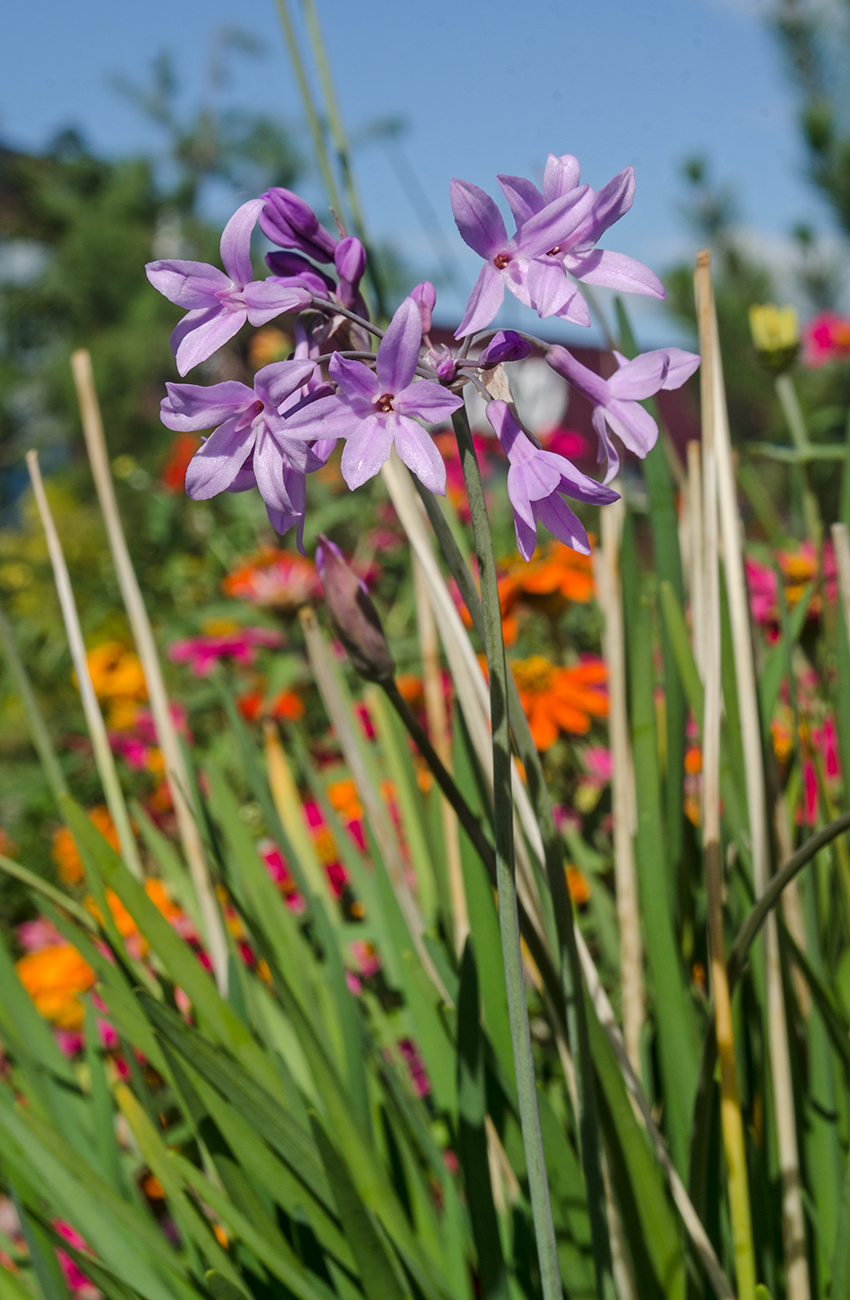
(353, 616)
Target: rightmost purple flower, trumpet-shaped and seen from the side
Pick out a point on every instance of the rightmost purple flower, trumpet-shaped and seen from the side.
(617, 400)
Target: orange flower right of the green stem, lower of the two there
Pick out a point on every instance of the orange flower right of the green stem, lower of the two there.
(560, 700)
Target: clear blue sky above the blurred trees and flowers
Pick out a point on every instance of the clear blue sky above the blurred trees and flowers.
(482, 89)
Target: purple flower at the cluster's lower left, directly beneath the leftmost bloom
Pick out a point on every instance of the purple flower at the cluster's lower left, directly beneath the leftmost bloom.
(249, 447)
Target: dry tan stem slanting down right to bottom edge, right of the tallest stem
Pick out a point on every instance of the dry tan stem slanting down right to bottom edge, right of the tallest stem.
(793, 1220)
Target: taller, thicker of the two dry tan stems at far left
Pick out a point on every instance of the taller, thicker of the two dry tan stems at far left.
(167, 736)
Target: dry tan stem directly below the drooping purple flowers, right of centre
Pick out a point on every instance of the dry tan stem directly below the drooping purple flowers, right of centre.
(608, 571)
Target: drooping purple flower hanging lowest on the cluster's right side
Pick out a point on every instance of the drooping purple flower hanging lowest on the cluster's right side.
(537, 483)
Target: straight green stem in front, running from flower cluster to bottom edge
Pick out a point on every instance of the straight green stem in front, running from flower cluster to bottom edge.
(506, 877)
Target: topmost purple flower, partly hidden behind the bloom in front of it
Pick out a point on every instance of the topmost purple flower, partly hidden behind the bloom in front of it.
(578, 253)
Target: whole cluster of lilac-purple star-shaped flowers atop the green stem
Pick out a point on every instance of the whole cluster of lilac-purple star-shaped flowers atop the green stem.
(274, 435)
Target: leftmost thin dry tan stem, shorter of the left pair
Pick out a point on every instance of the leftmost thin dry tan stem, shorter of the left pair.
(94, 718)
